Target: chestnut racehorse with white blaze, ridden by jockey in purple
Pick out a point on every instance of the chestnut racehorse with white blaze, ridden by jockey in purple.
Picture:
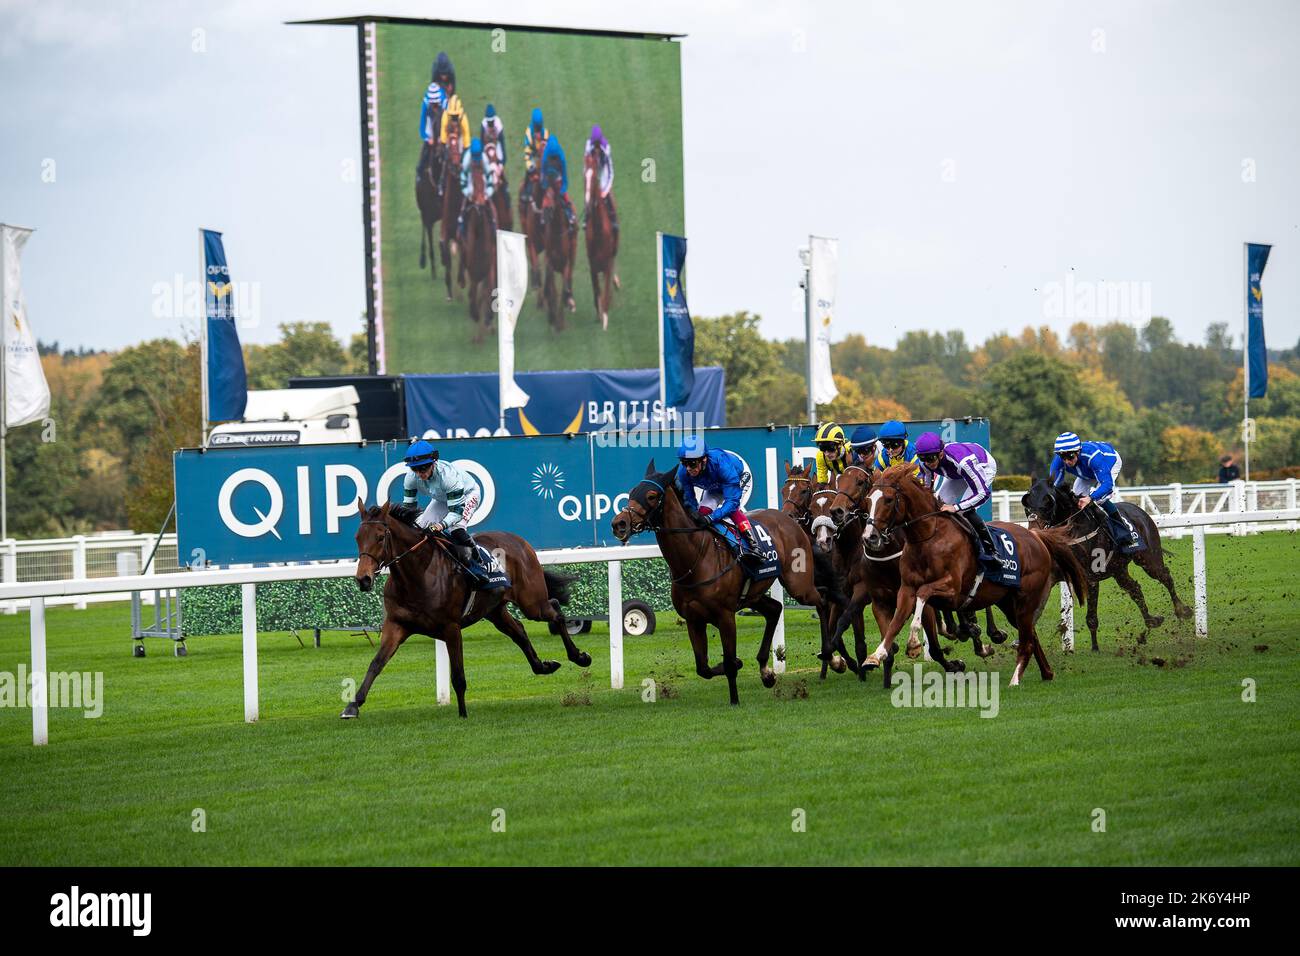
(939, 566)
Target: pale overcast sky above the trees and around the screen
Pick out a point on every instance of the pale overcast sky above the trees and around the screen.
(970, 157)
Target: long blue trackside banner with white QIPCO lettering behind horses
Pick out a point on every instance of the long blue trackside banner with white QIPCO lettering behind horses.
(300, 504)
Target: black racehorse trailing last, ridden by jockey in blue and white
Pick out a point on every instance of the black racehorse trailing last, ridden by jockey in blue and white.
(1050, 507)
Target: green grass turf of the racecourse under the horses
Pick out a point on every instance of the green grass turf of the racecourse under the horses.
(1185, 771)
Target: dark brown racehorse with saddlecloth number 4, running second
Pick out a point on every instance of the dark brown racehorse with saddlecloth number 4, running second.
(708, 583)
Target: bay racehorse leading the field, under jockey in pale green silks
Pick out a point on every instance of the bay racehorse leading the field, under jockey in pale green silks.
(427, 595)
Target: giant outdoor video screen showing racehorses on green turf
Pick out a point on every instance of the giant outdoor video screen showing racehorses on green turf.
(570, 139)
